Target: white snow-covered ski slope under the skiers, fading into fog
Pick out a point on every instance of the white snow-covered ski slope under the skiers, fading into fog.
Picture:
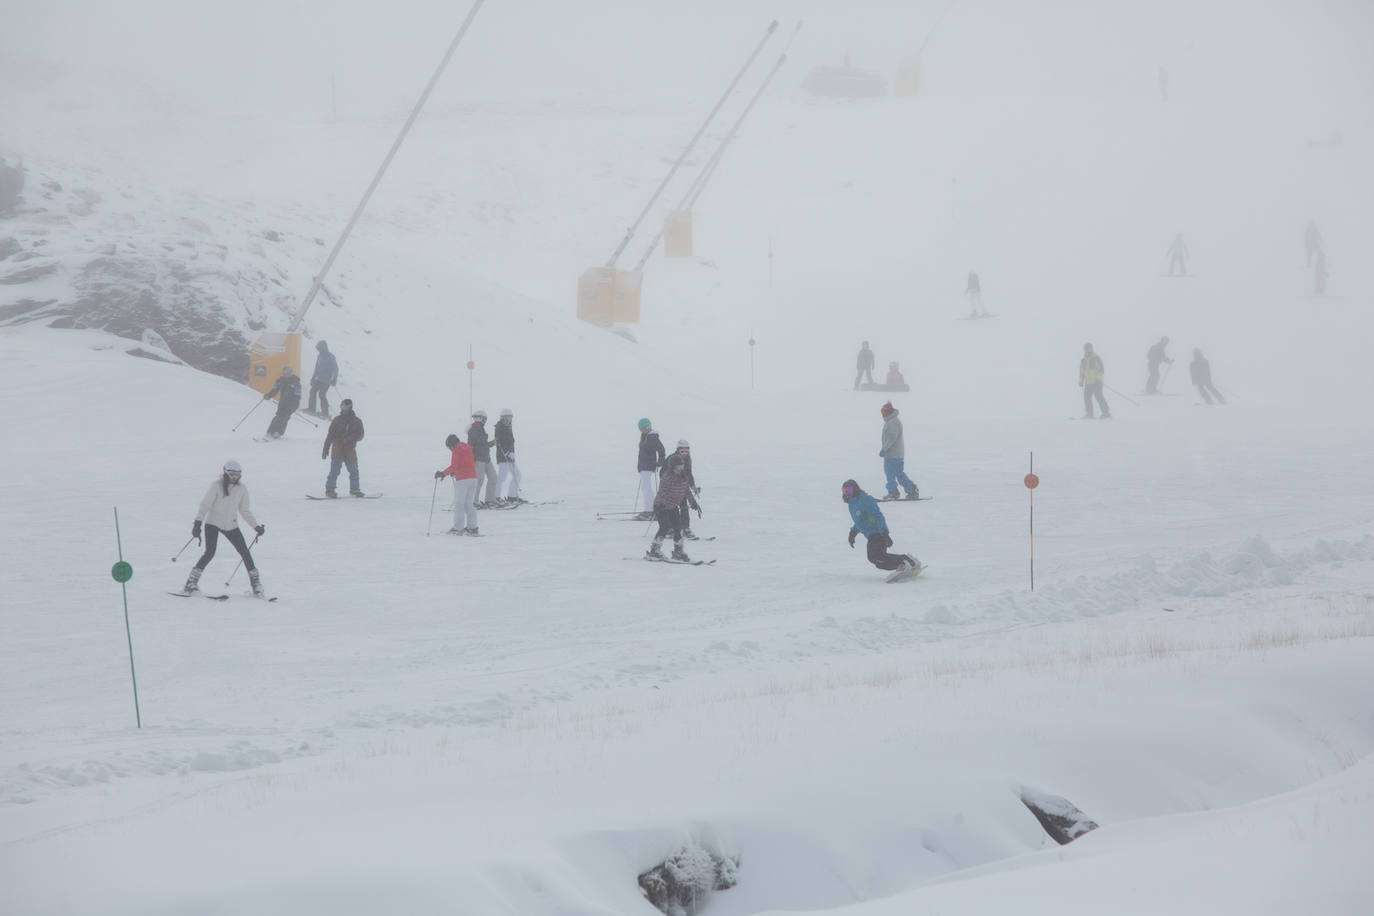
(526, 723)
